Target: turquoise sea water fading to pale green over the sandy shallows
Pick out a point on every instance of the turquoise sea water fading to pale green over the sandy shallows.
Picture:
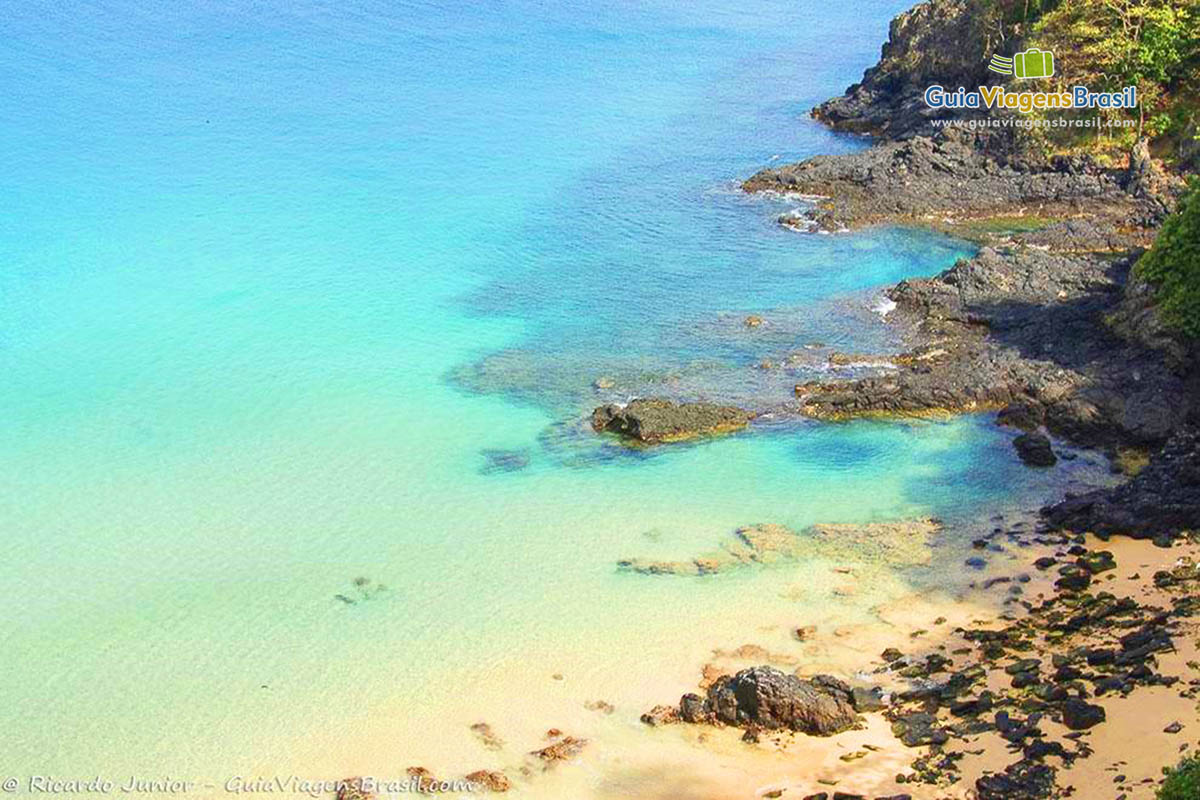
(275, 276)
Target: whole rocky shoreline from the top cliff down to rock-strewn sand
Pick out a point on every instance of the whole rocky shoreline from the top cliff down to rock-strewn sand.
(1047, 328)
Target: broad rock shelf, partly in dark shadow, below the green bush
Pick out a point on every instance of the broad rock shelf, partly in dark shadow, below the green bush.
(1024, 332)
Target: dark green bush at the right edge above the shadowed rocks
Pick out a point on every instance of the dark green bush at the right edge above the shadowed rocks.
(1174, 266)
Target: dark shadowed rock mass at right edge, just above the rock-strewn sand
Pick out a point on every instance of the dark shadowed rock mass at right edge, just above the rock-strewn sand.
(1162, 500)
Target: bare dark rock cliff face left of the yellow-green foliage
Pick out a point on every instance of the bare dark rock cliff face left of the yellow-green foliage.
(945, 43)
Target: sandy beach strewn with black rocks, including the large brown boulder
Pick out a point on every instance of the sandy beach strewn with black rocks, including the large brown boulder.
(1030, 694)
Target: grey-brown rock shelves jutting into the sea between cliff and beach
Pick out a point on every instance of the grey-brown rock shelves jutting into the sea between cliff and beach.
(1043, 326)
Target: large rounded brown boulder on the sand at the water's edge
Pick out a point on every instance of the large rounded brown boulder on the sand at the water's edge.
(765, 697)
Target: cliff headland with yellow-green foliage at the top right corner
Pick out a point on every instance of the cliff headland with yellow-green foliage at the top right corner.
(1102, 45)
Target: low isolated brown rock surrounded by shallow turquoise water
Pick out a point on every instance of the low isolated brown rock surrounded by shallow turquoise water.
(653, 422)
